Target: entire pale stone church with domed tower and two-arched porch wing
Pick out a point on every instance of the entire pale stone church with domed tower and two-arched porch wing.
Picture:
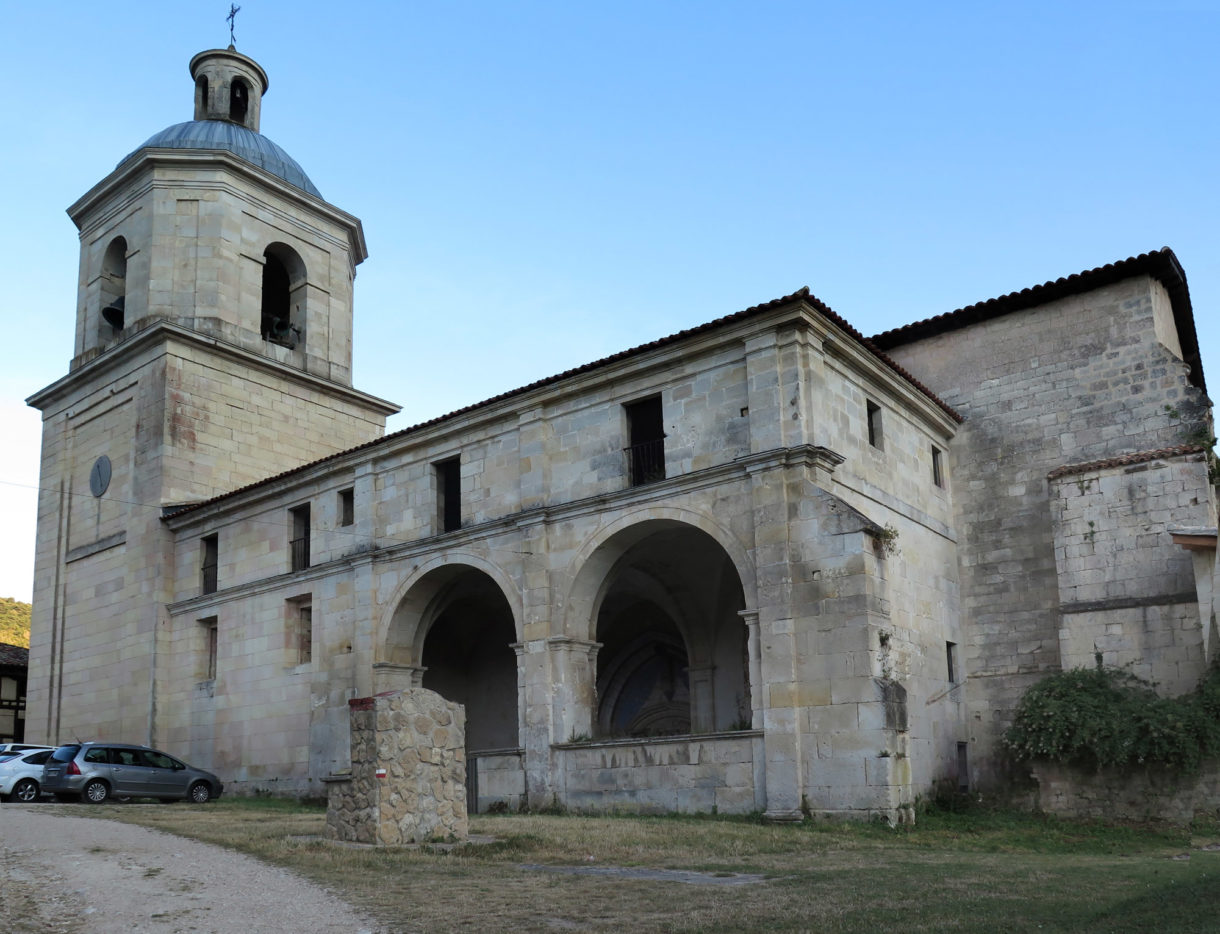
(767, 564)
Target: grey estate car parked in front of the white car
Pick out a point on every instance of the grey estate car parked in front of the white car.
(97, 771)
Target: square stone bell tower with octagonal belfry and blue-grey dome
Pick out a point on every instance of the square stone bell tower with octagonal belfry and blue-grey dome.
(213, 351)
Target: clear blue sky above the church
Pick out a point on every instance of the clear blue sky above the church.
(547, 184)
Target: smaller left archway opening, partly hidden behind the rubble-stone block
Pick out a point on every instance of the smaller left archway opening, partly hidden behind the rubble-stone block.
(457, 627)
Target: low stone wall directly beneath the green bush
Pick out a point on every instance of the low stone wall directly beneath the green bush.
(1134, 794)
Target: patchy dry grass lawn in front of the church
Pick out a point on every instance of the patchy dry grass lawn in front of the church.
(967, 871)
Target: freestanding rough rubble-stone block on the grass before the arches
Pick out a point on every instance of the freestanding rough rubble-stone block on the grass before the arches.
(408, 781)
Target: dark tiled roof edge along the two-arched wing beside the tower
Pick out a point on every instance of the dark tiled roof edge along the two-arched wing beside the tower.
(801, 294)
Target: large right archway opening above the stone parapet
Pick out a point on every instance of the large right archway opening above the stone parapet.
(674, 646)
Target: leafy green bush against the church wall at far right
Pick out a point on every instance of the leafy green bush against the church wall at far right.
(1106, 718)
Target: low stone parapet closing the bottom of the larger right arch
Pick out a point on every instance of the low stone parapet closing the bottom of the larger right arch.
(687, 775)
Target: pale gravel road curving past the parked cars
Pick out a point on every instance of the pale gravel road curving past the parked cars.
(87, 876)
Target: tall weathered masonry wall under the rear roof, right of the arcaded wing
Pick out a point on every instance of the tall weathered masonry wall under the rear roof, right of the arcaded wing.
(1078, 380)
